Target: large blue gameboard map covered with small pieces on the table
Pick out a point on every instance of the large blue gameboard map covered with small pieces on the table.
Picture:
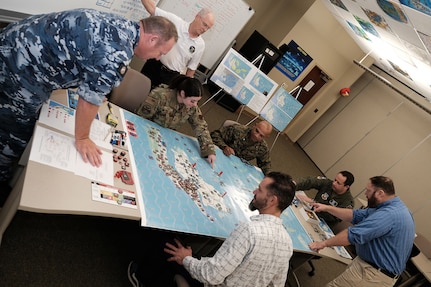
(180, 191)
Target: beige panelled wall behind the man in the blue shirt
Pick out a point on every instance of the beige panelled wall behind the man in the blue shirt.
(376, 131)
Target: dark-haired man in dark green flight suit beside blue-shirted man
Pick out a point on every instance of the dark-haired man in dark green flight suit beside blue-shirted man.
(330, 192)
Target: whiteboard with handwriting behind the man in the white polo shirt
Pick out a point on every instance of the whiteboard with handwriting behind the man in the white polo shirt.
(230, 17)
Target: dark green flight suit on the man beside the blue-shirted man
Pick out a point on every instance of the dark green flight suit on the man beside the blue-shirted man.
(326, 195)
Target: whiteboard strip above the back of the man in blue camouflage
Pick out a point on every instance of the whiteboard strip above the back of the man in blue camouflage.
(130, 9)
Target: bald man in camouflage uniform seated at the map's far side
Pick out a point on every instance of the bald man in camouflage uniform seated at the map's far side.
(246, 142)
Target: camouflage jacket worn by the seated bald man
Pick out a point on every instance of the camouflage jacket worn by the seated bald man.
(238, 138)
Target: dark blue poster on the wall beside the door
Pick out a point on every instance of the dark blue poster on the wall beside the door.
(294, 61)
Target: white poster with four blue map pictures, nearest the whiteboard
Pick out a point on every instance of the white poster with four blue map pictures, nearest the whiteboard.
(244, 81)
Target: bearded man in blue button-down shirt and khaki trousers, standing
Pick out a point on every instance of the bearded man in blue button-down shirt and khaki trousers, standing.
(383, 236)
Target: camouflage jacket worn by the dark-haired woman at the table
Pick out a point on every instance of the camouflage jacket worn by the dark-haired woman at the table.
(161, 106)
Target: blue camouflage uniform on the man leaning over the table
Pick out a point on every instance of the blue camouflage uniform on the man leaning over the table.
(82, 48)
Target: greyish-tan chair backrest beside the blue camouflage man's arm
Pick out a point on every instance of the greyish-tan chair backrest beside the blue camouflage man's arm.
(132, 91)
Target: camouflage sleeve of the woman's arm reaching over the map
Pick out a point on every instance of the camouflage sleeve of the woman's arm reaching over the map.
(200, 127)
